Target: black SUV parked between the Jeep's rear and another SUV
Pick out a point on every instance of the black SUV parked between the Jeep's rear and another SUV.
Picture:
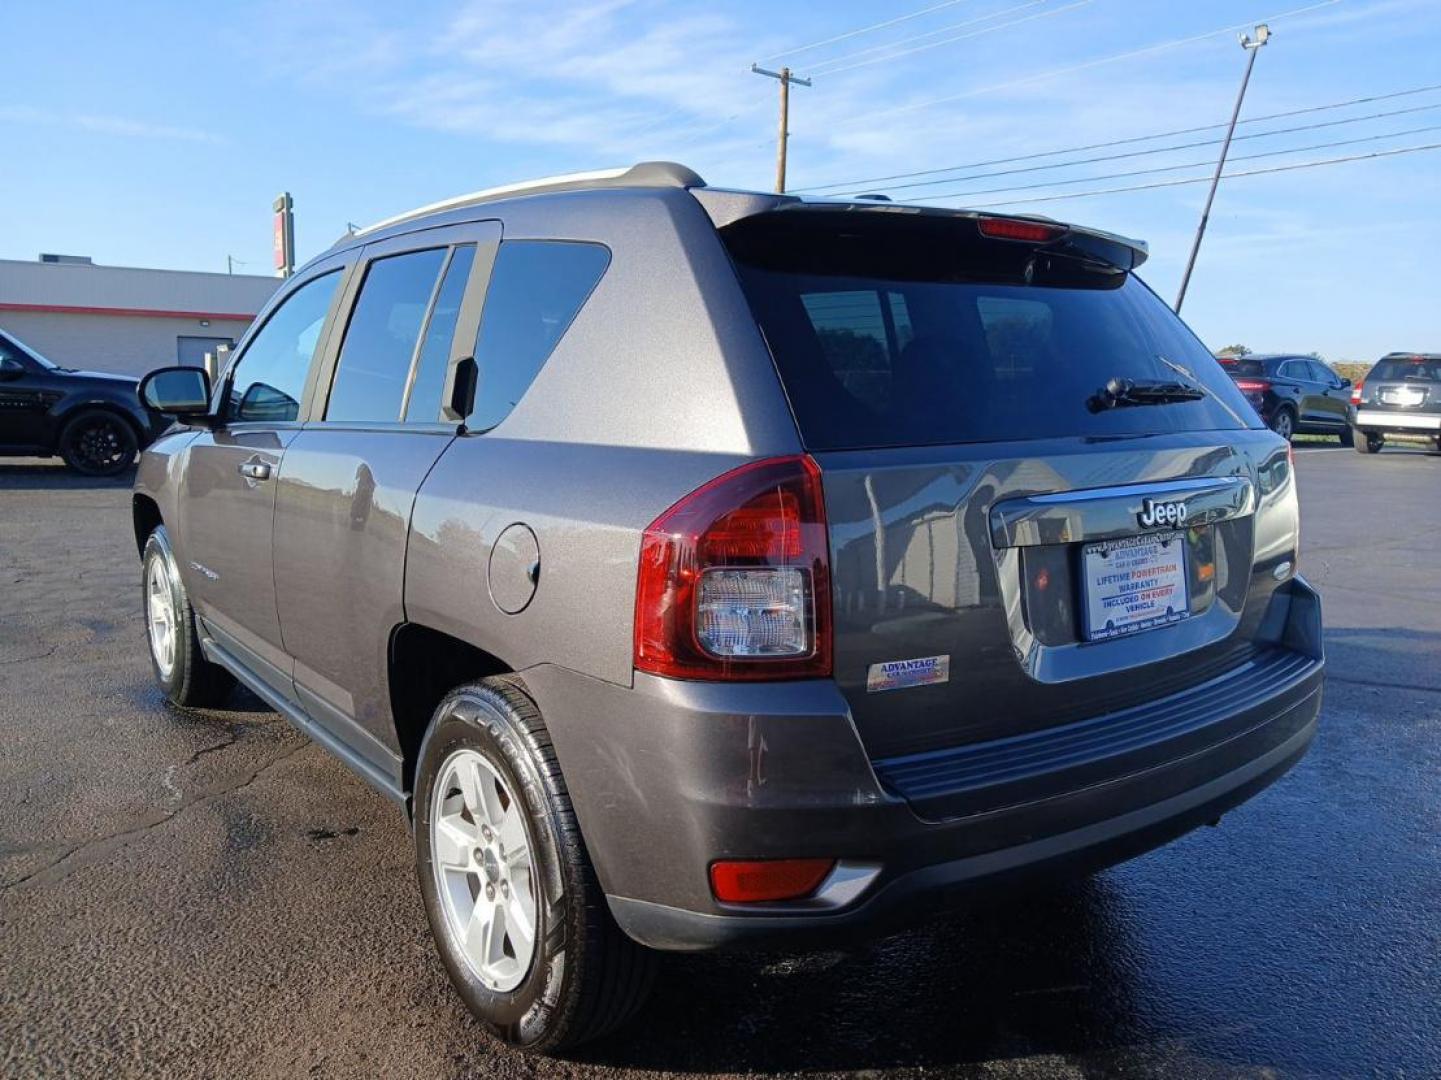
(1295, 396)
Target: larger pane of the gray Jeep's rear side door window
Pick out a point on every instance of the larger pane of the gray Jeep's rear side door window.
(381, 340)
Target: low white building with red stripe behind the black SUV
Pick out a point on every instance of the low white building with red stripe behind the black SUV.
(125, 319)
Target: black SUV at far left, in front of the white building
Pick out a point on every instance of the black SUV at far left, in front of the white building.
(90, 419)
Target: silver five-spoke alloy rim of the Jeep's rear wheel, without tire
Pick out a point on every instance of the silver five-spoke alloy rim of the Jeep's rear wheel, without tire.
(485, 870)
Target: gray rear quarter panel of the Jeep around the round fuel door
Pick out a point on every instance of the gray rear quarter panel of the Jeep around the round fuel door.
(661, 384)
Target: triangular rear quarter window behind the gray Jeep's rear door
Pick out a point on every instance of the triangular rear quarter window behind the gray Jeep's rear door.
(537, 289)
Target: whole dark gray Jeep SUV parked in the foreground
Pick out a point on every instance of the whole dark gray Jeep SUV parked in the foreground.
(714, 569)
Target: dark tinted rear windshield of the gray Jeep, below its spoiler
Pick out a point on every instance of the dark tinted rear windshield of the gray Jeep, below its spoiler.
(913, 332)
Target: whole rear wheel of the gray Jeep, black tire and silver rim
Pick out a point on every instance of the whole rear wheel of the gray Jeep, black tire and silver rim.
(583, 977)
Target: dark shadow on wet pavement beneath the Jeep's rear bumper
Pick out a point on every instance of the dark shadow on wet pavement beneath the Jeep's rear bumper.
(1048, 973)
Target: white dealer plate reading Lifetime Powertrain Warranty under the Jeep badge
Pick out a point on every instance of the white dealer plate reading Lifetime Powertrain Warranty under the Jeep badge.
(1135, 585)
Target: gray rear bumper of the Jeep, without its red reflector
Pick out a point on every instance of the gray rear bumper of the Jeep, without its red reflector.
(671, 776)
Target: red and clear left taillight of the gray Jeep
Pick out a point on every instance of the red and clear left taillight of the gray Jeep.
(736, 579)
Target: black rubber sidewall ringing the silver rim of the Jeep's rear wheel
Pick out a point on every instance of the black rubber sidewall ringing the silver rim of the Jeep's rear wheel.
(481, 720)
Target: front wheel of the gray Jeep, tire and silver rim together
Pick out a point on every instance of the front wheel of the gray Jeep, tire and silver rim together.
(182, 671)
